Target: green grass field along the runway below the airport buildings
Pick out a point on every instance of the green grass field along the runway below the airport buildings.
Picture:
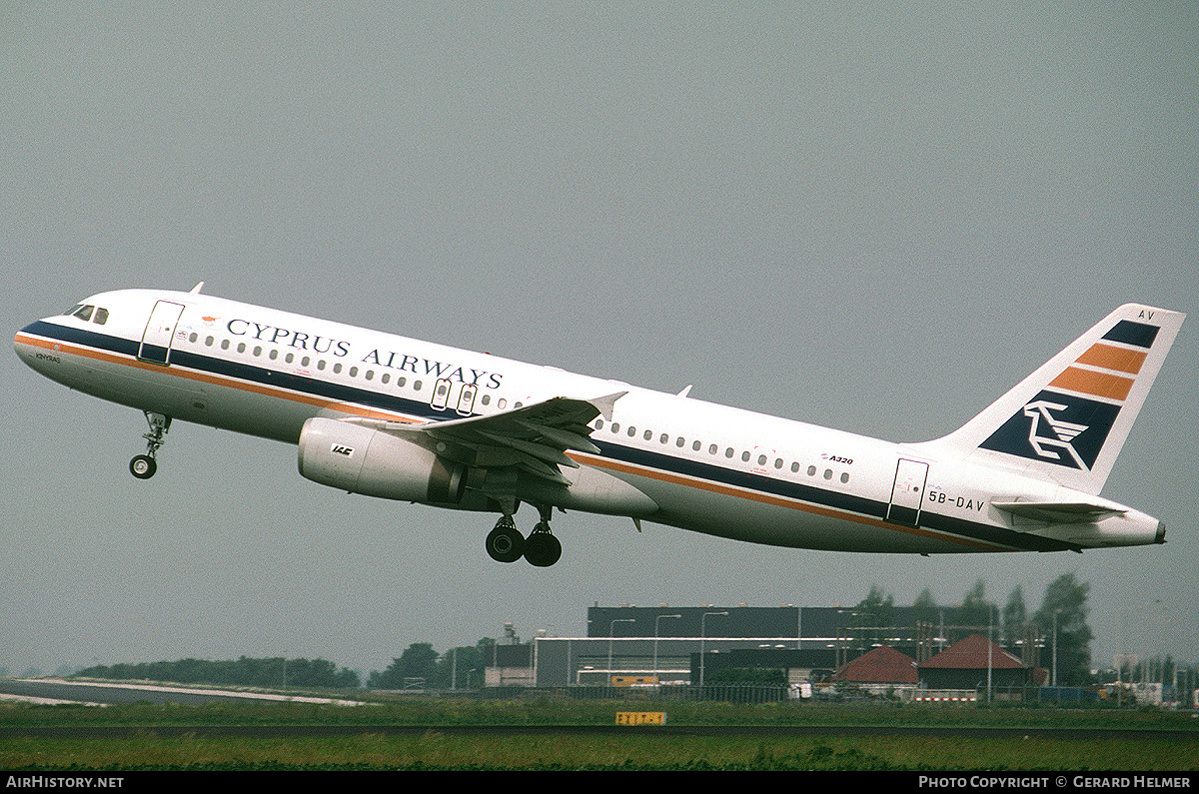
(432, 749)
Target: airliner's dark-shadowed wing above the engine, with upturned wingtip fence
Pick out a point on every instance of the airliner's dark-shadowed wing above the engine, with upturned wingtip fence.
(533, 438)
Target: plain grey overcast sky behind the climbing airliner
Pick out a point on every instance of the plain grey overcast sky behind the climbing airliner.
(875, 216)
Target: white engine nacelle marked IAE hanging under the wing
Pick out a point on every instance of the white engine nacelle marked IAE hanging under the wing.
(363, 460)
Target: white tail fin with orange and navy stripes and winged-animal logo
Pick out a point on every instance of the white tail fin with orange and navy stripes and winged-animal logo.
(1068, 422)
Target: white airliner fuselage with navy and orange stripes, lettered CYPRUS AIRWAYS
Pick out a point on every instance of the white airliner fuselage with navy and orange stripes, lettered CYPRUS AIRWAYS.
(706, 467)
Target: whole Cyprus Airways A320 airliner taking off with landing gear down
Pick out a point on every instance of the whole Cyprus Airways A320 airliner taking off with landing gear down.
(389, 417)
